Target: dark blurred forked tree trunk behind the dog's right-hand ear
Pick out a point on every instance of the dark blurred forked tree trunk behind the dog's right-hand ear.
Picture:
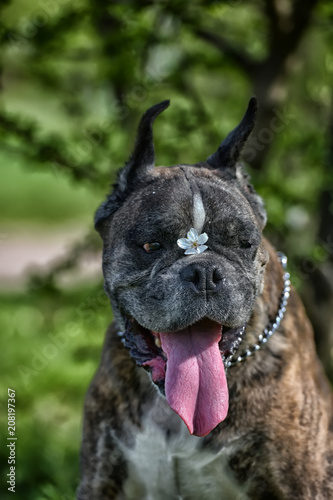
(287, 23)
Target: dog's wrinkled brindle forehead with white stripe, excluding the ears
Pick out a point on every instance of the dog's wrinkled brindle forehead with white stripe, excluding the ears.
(181, 197)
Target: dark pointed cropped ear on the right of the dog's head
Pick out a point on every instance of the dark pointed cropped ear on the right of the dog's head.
(231, 147)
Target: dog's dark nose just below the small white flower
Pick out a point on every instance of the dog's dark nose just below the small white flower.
(203, 278)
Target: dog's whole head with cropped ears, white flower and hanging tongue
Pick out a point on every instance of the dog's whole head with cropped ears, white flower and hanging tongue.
(183, 263)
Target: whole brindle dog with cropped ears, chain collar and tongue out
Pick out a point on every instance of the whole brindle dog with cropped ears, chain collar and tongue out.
(209, 385)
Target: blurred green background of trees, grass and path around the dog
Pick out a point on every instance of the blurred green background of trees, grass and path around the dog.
(74, 78)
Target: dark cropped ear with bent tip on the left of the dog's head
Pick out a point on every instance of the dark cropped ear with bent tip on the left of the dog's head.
(140, 163)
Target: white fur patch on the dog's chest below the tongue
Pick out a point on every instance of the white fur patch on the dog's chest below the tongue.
(172, 465)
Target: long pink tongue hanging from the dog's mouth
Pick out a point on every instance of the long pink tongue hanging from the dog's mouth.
(195, 383)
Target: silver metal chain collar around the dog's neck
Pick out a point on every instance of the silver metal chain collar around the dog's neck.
(233, 359)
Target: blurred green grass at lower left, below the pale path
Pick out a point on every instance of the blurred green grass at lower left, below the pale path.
(51, 349)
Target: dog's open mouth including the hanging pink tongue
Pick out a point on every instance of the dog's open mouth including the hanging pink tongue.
(189, 367)
